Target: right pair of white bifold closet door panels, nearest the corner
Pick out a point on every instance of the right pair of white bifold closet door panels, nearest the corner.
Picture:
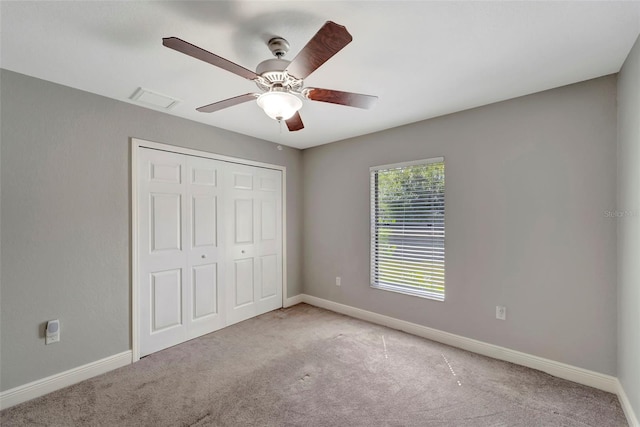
(254, 242)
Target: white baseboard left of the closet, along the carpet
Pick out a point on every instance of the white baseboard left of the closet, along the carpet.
(55, 382)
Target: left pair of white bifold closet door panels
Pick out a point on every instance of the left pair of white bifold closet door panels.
(180, 259)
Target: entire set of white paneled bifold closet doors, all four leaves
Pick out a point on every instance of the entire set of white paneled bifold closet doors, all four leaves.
(209, 245)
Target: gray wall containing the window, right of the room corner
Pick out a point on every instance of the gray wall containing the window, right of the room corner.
(527, 184)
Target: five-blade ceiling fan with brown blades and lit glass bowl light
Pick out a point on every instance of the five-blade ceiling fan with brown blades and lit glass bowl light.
(282, 82)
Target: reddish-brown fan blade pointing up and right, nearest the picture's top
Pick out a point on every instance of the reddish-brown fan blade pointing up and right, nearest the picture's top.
(328, 41)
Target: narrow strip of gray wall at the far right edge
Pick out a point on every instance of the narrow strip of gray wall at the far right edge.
(629, 227)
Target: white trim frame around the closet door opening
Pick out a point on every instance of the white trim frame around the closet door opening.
(136, 145)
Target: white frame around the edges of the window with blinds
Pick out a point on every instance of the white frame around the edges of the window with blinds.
(374, 238)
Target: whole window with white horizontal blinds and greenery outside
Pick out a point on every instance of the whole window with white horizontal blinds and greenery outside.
(407, 228)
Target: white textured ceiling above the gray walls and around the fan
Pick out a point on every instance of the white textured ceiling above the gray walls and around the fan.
(423, 59)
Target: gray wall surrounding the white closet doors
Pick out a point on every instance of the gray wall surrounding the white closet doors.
(66, 218)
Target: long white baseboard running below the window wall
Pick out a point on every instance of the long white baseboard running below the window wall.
(557, 369)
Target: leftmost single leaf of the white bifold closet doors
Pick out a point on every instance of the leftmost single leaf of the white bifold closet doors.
(162, 279)
